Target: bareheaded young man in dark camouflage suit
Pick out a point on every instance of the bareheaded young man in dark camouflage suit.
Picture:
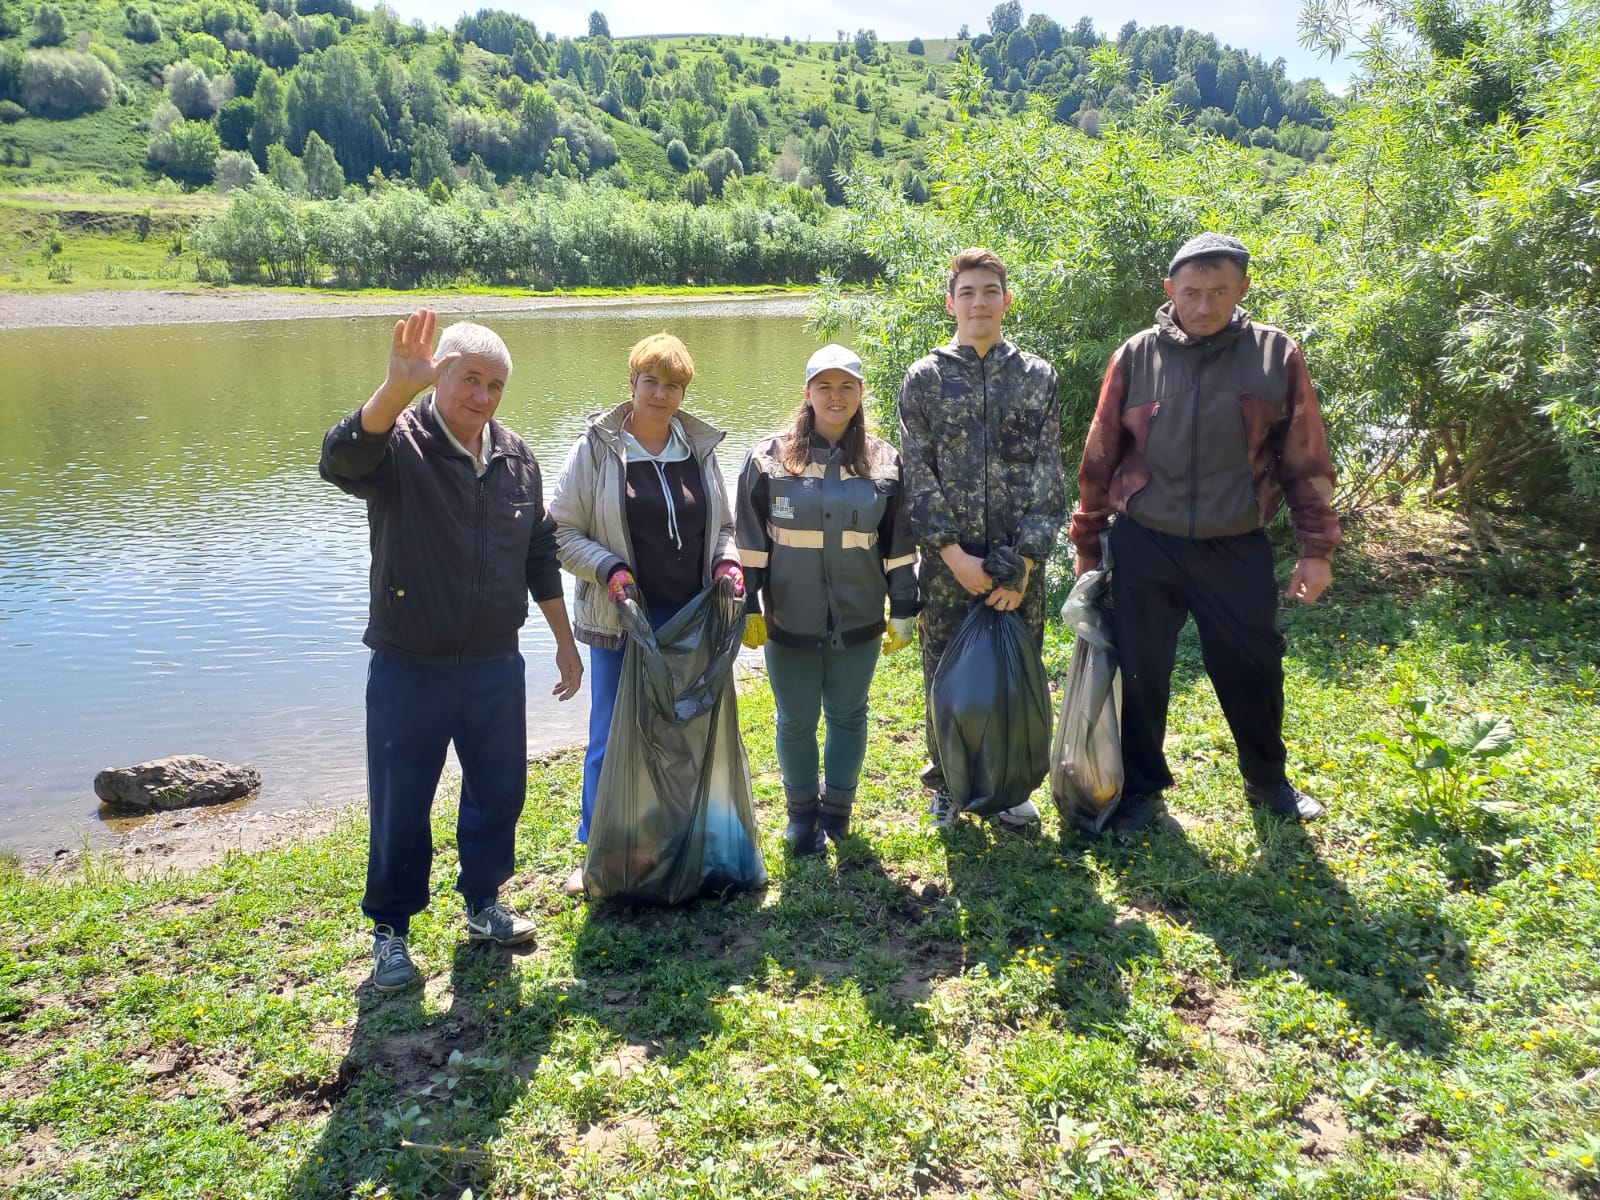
(982, 449)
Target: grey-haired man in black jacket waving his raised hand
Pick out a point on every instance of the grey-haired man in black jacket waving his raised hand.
(460, 538)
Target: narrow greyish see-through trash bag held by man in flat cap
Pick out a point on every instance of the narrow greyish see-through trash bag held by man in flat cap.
(1086, 764)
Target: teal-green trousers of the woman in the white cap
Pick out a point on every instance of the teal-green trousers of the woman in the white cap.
(814, 684)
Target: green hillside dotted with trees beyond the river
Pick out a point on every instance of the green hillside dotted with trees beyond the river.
(321, 95)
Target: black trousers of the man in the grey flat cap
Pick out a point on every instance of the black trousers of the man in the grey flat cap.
(1228, 586)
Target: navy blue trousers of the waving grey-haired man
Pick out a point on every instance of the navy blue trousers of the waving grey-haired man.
(414, 713)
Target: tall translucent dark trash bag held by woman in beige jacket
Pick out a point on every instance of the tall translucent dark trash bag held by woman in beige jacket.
(673, 812)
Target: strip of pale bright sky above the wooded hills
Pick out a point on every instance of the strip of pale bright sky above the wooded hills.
(1268, 28)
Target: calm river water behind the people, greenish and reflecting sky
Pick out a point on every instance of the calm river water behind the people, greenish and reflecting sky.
(175, 578)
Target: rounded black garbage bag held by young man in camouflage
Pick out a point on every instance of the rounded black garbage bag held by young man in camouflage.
(991, 713)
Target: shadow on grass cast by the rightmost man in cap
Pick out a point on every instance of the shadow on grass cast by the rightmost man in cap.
(1289, 913)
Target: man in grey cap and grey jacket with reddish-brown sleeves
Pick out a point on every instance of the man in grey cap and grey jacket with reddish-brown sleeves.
(1204, 422)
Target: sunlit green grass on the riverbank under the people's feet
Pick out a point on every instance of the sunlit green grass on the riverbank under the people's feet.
(1369, 1007)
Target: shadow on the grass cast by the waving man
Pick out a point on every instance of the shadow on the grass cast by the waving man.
(420, 1095)
